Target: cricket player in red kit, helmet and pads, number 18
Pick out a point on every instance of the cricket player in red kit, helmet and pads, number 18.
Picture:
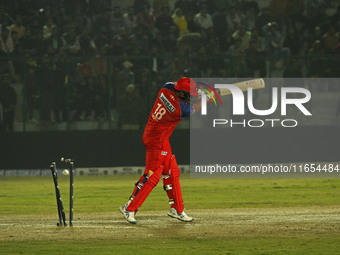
(175, 101)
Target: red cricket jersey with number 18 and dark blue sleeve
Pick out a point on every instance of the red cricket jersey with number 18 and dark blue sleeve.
(166, 113)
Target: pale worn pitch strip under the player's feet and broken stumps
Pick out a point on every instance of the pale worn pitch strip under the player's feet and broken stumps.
(214, 223)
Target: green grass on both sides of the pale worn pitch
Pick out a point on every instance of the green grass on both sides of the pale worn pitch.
(30, 196)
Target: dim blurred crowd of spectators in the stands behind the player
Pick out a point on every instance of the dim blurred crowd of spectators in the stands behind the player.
(86, 57)
